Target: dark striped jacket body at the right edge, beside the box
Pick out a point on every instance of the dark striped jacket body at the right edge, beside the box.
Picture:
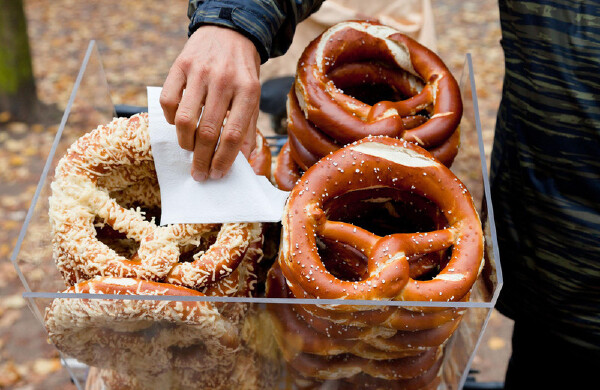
(545, 171)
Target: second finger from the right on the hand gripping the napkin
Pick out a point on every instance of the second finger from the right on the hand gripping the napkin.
(209, 130)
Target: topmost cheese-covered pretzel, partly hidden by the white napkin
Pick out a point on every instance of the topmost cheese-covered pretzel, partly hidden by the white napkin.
(114, 159)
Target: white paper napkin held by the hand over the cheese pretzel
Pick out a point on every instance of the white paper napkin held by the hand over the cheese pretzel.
(240, 196)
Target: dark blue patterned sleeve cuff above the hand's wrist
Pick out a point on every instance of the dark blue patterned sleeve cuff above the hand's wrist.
(269, 24)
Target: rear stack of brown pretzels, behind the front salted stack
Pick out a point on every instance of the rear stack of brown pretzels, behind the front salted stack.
(361, 78)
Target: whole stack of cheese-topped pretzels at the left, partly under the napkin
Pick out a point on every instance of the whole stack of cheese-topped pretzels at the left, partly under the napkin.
(103, 209)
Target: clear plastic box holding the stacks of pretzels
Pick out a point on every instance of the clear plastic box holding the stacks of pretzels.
(260, 343)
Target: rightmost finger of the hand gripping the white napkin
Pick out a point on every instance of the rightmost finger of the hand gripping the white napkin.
(242, 113)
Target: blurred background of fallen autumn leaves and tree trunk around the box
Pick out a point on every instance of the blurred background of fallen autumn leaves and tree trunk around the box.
(42, 44)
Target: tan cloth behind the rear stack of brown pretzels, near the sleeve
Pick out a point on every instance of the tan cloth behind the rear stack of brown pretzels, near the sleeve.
(412, 17)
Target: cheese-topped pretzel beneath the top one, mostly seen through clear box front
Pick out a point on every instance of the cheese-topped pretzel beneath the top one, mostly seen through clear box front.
(142, 335)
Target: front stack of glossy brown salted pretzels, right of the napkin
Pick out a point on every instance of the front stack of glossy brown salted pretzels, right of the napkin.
(379, 219)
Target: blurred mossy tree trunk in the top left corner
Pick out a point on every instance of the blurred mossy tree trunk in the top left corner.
(17, 84)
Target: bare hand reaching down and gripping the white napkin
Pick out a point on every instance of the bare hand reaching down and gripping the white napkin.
(218, 68)
